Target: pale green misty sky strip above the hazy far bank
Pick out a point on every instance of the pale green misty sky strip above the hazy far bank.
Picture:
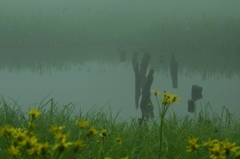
(157, 7)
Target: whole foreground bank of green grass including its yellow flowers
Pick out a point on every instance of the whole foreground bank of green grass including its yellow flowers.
(60, 132)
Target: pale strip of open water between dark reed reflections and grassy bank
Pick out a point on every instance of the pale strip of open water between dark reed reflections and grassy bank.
(98, 85)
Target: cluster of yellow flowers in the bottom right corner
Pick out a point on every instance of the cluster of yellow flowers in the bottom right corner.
(218, 149)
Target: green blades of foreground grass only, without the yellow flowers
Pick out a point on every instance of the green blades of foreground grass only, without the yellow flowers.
(137, 142)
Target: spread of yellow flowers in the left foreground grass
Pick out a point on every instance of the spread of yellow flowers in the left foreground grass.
(23, 142)
